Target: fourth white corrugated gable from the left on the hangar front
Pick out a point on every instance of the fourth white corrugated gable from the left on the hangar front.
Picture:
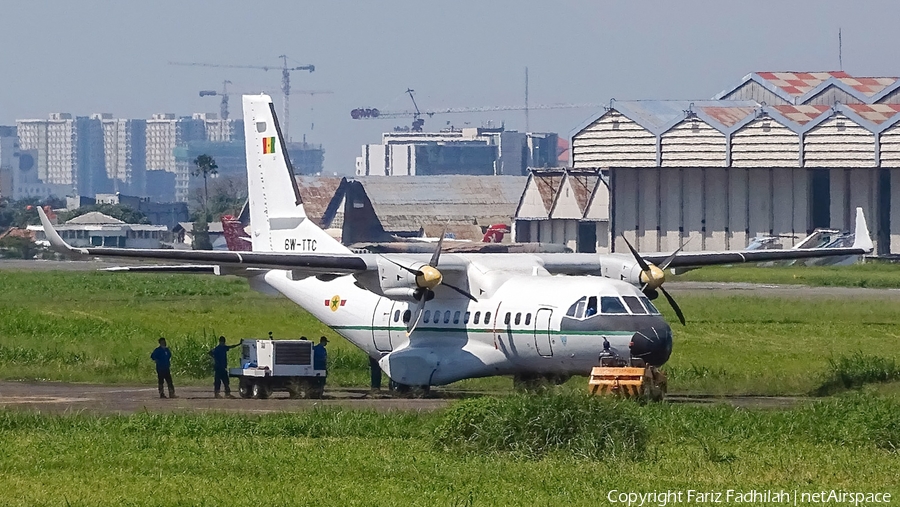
(839, 142)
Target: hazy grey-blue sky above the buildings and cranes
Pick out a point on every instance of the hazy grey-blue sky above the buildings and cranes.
(91, 56)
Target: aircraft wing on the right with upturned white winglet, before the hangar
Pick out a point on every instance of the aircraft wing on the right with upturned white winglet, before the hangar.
(862, 245)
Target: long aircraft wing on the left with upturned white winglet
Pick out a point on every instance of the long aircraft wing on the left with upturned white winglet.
(206, 260)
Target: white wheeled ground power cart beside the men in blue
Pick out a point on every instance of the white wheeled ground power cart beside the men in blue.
(278, 365)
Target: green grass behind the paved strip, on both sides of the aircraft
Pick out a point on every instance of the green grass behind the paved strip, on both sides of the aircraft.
(101, 327)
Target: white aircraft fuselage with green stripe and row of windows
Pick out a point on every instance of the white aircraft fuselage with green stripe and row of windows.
(522, 328)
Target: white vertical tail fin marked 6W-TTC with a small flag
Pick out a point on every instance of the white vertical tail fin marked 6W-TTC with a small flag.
(278, 221)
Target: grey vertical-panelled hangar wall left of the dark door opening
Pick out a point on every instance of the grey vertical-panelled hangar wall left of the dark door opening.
(715, 208)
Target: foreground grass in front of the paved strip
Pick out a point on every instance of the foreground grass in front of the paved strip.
(330, 457)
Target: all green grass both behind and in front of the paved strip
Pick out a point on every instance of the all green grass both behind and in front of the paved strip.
(507, 450)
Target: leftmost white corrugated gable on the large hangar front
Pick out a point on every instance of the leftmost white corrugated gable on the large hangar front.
(614, 140)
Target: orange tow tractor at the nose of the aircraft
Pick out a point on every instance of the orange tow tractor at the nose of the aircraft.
(628, 378)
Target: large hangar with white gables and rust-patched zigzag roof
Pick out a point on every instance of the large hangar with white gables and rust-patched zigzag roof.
(780, 153)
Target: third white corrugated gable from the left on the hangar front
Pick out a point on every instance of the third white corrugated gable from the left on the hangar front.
(765, 143)
